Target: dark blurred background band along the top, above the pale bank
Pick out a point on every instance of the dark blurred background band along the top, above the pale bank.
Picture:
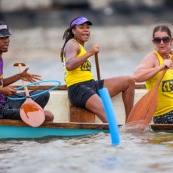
(52, 13)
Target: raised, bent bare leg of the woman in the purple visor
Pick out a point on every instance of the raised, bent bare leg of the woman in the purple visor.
(124, 84)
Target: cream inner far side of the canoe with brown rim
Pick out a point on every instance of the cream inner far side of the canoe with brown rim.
(59, 103)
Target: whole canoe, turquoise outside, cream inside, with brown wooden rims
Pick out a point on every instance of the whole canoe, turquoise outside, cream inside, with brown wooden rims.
(62, 127)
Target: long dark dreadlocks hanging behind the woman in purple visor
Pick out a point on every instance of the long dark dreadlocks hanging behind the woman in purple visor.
(67, 36)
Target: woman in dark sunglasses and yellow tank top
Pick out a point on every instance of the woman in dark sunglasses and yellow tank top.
(150, 69)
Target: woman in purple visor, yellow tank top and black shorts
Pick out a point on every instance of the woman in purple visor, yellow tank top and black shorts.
(82, 88)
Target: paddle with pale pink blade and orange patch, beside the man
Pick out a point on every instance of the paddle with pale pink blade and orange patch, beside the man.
(30, 112)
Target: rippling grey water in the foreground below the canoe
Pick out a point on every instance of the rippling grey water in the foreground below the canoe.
(137, 153)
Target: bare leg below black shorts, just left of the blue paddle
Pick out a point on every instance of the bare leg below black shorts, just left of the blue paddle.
(95, 105)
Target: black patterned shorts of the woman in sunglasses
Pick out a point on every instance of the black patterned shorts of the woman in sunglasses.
(164, 119)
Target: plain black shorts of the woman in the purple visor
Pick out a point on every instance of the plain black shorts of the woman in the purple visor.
(79, 93)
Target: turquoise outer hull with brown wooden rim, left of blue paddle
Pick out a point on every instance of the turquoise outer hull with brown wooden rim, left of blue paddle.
(14, 129)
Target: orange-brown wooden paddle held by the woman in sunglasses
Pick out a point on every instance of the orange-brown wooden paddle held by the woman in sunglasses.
(141, 114)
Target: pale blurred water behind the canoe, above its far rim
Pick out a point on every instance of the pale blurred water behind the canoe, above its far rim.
(52, 68)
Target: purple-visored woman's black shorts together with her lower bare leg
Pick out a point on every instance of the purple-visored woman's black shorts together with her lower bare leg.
(84, 95)
